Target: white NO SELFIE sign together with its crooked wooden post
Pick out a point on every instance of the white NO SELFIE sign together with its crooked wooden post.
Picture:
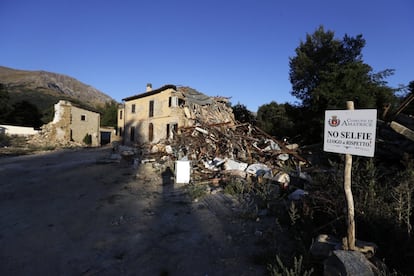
(350, 132)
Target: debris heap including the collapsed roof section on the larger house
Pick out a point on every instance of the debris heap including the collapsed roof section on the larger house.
(218, 146)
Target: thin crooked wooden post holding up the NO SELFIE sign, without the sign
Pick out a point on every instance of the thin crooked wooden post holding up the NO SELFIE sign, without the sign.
(348, 194)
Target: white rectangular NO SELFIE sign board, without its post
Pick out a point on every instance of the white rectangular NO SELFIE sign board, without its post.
(350, 131)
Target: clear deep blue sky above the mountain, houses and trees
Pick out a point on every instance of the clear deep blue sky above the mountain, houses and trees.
(238, 49)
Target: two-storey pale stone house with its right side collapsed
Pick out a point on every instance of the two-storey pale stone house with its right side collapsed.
(159, 114)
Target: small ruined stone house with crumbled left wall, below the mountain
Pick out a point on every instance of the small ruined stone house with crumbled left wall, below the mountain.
(72, 124)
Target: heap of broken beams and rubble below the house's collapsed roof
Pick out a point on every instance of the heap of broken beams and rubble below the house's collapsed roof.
(223, 149)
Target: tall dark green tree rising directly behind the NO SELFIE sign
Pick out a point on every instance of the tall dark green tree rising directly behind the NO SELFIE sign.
(326, 72)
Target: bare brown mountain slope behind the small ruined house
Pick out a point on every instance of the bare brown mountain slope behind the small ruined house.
(44, 89)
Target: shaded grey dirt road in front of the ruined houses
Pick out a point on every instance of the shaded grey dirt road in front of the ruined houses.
(62, 213)
